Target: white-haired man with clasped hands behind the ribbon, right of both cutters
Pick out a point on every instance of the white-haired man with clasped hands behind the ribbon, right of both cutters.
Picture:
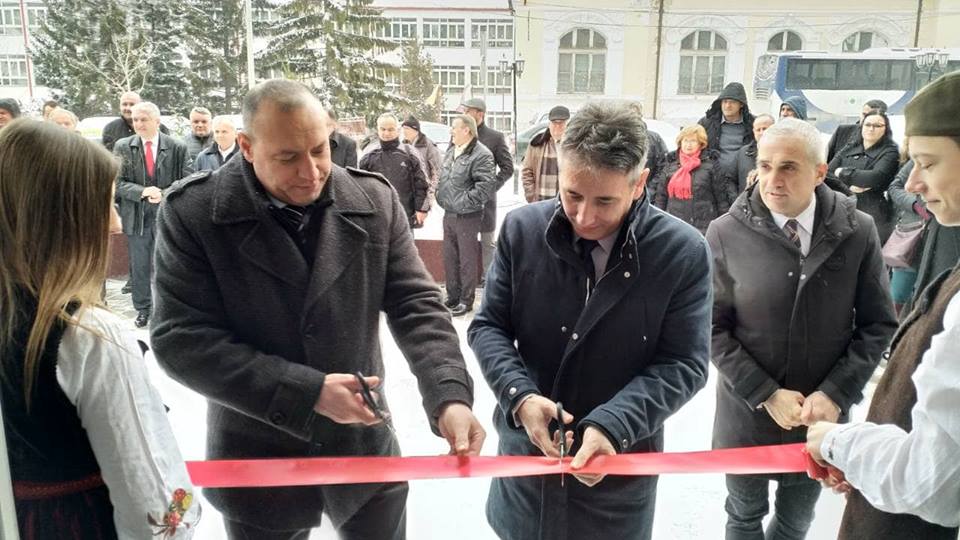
(802, 313)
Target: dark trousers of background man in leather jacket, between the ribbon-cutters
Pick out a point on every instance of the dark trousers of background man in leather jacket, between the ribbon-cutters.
(461, 255)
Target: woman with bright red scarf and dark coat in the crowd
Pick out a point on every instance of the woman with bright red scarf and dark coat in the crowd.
(692, 186)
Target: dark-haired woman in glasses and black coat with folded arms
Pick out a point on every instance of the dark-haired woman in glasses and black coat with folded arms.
(867, 165)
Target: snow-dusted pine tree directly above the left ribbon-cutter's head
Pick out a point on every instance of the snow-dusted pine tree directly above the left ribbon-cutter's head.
(331, 46)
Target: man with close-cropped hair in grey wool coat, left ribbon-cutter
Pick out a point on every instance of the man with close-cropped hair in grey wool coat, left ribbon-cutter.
(272, 272)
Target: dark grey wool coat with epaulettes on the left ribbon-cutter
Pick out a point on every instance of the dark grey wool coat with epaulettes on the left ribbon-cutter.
(241, 318)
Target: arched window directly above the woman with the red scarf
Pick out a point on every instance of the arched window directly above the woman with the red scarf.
(703, 57)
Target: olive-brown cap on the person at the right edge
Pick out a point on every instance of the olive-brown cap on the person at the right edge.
(935, 110)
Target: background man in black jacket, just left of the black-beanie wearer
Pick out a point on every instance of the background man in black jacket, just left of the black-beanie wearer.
(400, 165)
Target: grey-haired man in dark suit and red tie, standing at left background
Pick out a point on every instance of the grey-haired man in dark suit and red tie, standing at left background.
(152, 162)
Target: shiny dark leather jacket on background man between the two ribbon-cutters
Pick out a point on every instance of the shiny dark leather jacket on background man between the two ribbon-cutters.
(466, 182)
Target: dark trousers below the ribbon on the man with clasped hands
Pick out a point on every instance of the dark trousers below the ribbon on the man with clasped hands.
(748, 503)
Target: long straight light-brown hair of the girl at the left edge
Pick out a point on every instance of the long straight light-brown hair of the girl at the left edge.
(55, 195)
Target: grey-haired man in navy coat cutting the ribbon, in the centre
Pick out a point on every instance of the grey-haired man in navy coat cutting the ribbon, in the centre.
(601, 302)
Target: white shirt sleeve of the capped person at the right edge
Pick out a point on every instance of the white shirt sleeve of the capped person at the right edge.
(918, 472)
